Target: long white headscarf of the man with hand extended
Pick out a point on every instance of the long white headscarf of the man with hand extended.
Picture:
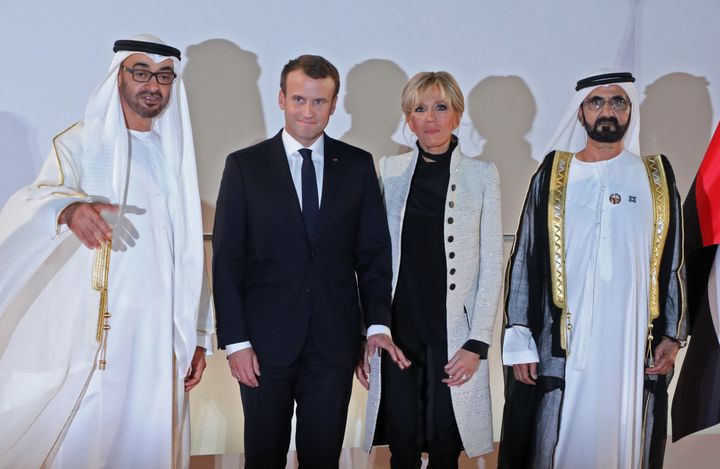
(105, 170)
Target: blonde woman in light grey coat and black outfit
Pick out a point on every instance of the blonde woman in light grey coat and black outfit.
(443, 211)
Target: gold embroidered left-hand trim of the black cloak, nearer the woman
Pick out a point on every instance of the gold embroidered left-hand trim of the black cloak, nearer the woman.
(556, 237)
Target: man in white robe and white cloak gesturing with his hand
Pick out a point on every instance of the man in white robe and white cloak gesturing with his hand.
(104, 308)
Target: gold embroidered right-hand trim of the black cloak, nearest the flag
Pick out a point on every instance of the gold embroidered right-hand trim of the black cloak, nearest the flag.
(661, 212)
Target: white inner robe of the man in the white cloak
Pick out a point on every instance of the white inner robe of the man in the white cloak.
(126, 417)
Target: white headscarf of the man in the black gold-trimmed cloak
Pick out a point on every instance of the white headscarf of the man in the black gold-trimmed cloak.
(571, 134)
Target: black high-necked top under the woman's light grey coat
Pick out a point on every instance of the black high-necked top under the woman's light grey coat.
(419, 308)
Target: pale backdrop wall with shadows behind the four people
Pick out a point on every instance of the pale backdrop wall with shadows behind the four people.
(517, 62)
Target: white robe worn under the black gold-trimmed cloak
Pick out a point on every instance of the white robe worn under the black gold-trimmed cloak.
(607, 261)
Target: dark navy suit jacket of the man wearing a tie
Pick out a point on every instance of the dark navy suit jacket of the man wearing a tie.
(272, 284)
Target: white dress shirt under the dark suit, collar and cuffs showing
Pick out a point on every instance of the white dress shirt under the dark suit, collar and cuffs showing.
(292, 152)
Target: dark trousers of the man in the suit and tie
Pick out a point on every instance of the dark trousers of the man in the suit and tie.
(322, 394)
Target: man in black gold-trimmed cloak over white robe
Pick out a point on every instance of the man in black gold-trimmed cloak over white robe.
(595, 302)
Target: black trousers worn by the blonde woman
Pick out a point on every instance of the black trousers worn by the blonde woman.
(418, 410)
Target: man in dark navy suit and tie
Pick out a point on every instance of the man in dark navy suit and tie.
(300, 233)
